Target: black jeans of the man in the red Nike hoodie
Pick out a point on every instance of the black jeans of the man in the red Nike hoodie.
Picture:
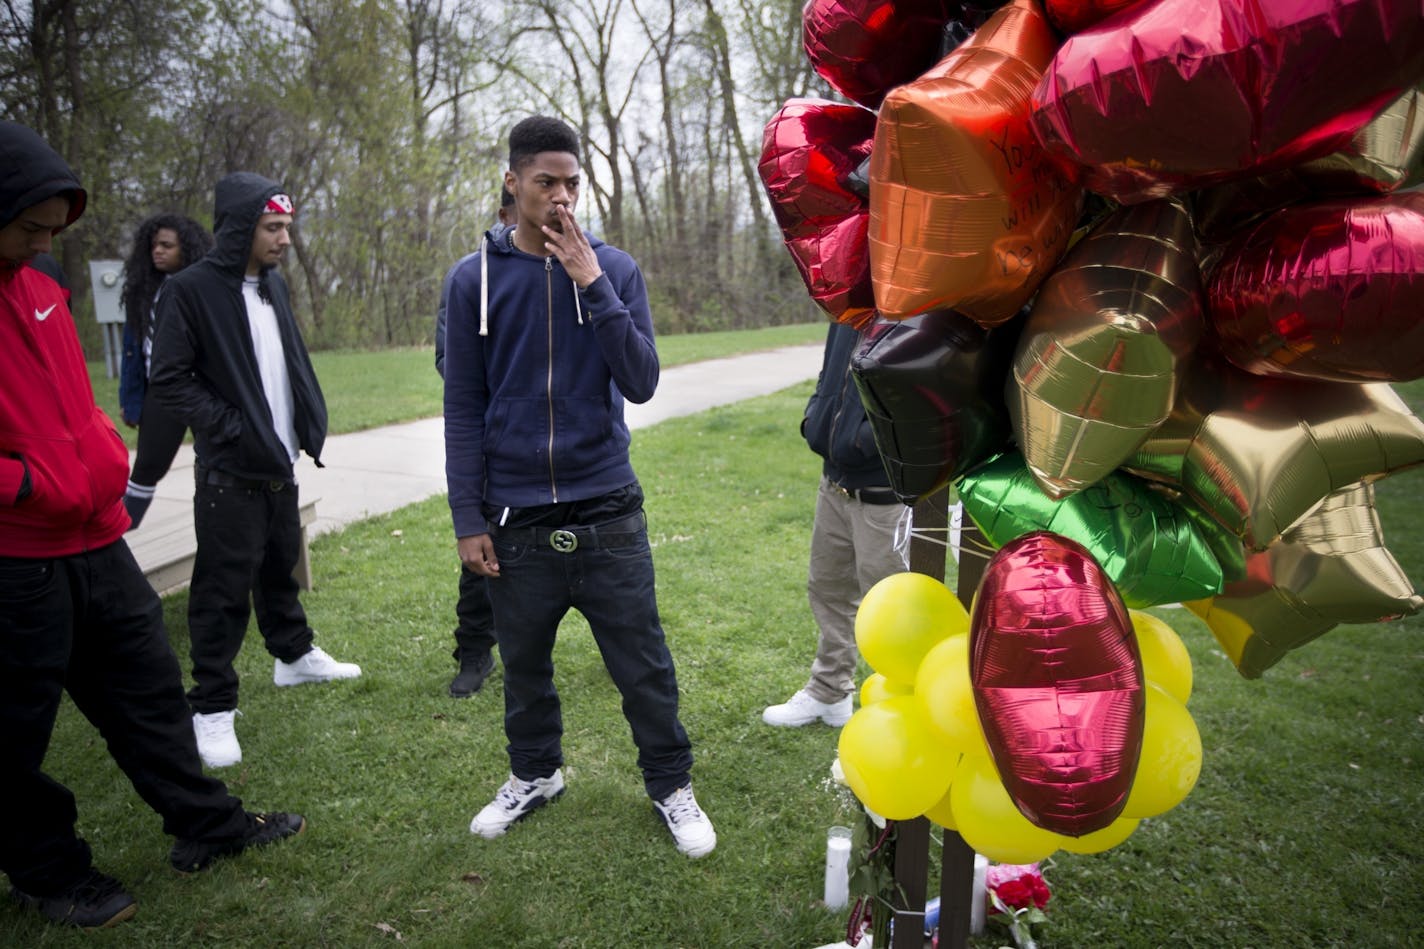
(92, 625)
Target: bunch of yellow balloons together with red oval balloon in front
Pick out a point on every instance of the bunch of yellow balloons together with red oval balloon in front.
(1053, 719)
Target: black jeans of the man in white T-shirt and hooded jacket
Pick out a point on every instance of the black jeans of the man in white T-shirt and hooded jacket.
(250, 539)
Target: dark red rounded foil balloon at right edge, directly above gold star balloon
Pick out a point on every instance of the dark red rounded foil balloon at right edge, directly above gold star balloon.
(1331, 291)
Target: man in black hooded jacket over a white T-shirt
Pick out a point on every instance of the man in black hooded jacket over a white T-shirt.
(230, 364)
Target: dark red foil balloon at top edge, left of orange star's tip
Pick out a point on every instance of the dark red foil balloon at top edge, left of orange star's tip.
(868, 48)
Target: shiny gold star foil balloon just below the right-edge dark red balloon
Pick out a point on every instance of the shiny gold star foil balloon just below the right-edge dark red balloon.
(1260, 455)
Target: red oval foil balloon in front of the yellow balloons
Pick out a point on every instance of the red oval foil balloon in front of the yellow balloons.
(1059, 683)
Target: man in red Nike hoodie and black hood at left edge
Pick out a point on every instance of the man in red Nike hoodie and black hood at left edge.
(76, 612)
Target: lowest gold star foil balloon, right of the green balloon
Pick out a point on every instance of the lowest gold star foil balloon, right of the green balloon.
(1329, 569)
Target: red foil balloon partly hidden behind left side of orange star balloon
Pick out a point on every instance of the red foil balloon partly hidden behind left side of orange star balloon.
(811, 152)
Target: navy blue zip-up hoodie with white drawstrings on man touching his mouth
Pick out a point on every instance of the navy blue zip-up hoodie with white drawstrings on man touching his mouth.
(533, 410)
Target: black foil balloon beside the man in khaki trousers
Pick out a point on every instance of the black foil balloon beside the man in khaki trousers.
(933, 390)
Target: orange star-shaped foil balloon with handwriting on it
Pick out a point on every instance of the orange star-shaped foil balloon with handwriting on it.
(968, 213)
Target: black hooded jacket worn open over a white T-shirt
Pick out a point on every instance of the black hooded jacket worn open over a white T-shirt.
(204, 368)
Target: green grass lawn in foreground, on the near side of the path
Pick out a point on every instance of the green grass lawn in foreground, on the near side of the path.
(1305, 830)
